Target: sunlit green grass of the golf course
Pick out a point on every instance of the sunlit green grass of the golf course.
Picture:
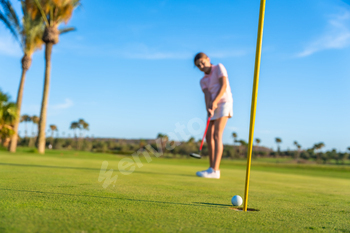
(60, 192)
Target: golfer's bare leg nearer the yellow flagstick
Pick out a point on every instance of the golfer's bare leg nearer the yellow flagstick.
(219, 147)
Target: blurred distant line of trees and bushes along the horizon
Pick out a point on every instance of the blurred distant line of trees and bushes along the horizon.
(183, 149)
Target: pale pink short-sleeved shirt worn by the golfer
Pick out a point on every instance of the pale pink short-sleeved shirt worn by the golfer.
(211, 81)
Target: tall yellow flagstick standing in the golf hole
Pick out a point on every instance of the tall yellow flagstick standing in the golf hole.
(254, 99)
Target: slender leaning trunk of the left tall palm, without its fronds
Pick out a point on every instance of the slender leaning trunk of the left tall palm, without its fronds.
(26, 61)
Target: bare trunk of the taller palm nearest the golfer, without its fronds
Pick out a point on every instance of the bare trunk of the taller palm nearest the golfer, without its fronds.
(43, 112)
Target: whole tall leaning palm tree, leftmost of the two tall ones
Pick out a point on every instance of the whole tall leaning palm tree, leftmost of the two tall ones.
(28, 33)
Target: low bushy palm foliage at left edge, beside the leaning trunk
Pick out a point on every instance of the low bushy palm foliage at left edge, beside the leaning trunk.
(8, 116)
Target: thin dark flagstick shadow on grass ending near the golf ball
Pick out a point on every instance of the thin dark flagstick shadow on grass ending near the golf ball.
(200, 204)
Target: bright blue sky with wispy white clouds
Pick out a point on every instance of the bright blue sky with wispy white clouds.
(128, 69)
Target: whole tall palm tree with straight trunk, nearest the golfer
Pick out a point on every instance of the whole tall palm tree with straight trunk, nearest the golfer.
(53, 13)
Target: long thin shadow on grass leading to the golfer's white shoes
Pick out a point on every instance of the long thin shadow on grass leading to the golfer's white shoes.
(86, 168)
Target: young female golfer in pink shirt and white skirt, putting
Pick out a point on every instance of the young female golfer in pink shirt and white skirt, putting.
(219, 103)
